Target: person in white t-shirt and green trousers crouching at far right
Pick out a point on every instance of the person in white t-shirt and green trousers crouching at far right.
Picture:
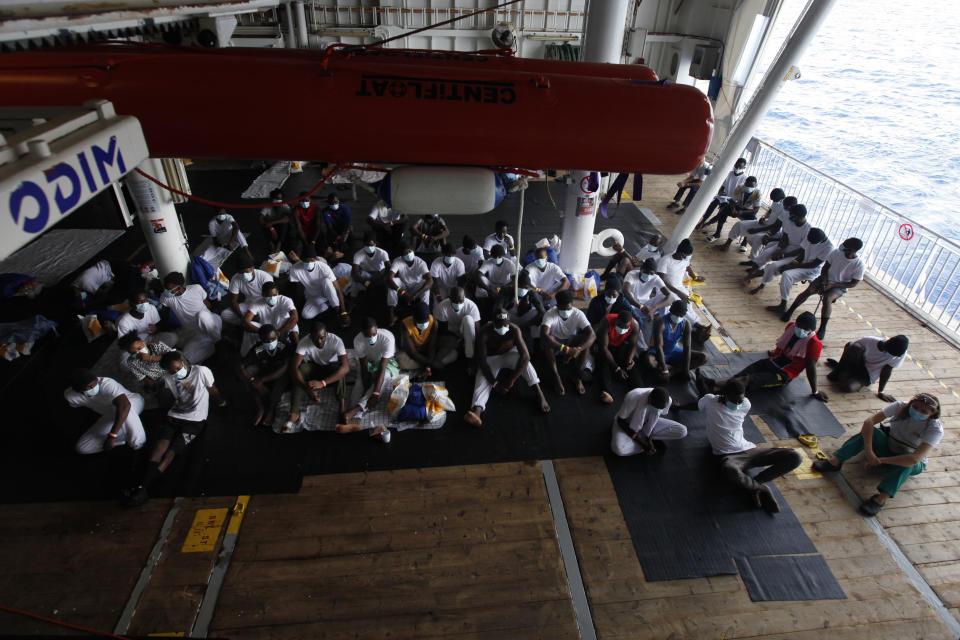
(900, 448)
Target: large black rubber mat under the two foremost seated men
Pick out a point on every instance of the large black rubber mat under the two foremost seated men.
(686, 521)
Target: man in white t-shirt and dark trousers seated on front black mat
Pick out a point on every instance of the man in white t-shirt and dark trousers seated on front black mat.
(725, 414)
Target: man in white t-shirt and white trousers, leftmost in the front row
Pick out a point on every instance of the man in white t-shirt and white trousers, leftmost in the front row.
(119, 410)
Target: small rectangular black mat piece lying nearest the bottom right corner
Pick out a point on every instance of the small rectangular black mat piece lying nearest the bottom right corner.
(778, 578)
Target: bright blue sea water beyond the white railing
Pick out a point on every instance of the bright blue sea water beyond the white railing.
(877, 106)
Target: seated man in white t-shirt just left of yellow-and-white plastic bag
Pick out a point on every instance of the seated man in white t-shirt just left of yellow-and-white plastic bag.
(375, 349)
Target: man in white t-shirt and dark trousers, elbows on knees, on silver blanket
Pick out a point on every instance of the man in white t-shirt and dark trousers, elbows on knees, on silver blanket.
(320, 361)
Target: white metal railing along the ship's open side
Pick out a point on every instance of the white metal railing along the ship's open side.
(912, 264)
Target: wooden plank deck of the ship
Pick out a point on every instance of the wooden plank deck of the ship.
(473, 552)
